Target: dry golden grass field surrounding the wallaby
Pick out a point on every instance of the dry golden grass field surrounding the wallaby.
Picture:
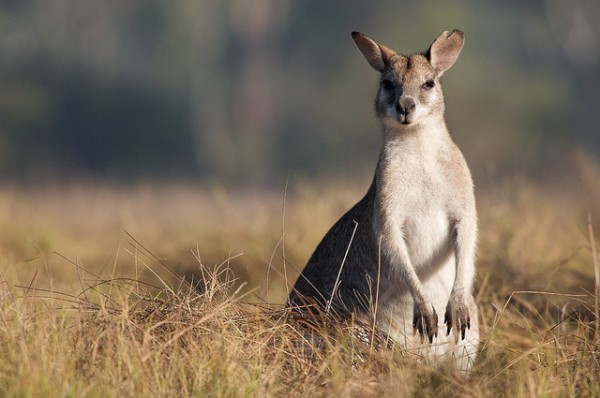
(106, 317)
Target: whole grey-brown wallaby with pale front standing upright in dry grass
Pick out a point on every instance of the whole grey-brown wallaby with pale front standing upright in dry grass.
(406, 251)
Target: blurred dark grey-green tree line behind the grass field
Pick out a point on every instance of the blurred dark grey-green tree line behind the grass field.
(250, 90)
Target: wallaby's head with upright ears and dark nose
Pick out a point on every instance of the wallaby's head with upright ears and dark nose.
(409, 90)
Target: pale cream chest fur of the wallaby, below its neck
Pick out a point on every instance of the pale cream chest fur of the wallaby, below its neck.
(412, 203)
